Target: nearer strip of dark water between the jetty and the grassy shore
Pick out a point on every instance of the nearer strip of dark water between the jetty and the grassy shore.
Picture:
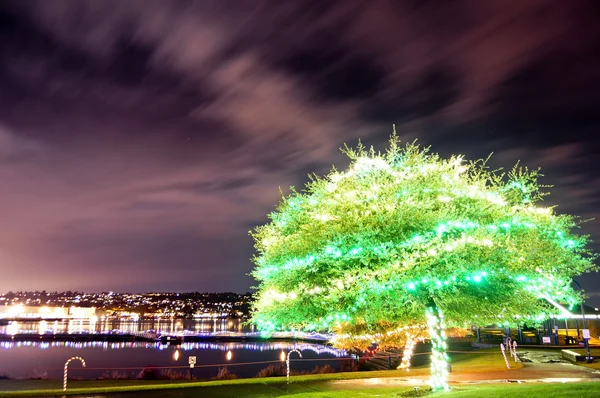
(41, 360)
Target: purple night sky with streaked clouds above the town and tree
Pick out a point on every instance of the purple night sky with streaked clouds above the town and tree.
(140, 141)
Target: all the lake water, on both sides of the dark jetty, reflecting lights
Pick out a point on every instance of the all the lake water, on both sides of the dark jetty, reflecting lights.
(46, 359)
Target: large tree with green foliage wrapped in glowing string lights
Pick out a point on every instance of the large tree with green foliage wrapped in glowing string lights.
(407, 239)
